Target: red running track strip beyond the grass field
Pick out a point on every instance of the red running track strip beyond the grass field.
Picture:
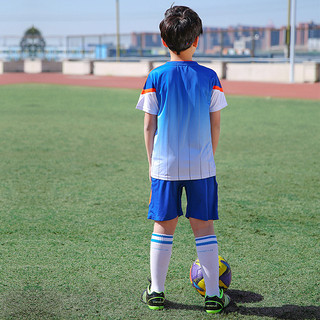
(264, 89)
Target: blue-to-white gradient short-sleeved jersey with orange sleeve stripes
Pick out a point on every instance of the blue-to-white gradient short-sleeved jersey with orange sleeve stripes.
(182, 94)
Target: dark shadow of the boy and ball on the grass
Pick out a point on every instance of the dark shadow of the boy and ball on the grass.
(289, 312)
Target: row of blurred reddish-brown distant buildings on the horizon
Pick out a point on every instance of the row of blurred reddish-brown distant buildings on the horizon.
(241, 39)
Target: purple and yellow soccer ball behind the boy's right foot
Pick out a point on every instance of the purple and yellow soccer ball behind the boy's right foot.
(197, 281)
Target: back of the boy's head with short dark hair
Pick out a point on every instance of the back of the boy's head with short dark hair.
(180, 28)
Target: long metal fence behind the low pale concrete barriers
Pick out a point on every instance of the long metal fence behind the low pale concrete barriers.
(214, 42)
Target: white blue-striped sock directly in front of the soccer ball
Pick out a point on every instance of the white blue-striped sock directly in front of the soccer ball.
(207, 249)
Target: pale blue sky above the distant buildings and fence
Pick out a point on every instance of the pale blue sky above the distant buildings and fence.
(85, 17)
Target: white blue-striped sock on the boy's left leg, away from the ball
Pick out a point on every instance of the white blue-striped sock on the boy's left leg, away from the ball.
(160, 254)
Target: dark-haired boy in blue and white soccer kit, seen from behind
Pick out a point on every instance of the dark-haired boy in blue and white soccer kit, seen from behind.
(182, 102)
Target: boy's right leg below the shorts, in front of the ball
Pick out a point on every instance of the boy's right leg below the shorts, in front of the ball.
(207, 250)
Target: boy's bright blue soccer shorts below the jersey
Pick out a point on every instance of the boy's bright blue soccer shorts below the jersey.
(202, 199)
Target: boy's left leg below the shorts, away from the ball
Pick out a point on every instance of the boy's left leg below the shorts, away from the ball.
(160, 252)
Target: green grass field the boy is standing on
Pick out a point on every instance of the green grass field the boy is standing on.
(74, 191)
